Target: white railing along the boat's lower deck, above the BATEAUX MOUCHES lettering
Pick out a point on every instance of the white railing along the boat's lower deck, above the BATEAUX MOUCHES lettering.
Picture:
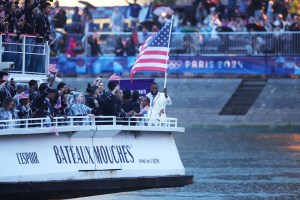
(67, 123)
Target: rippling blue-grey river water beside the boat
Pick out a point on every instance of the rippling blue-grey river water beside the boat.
(232, 164)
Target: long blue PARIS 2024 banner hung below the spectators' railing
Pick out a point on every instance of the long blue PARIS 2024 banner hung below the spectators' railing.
(198, 65)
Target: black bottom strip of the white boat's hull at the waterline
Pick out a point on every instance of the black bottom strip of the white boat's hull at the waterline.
(82, 188)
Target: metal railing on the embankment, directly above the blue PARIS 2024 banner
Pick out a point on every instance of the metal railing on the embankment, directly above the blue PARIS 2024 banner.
(208, 43)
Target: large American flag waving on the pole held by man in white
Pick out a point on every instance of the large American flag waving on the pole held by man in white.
(154, 52)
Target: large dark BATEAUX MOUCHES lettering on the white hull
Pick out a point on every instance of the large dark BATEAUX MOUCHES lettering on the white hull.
(93, 154)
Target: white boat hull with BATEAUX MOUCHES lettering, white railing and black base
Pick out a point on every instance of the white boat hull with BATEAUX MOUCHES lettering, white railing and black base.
(82, 157)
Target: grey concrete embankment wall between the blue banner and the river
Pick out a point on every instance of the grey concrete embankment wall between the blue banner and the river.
(198, 102)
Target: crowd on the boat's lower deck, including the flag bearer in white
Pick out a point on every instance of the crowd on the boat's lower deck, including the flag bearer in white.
(24, 101)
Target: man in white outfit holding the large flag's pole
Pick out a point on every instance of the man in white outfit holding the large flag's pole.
(158, 101)
